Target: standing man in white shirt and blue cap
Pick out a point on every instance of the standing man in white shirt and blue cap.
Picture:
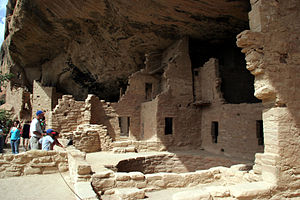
(36, 130)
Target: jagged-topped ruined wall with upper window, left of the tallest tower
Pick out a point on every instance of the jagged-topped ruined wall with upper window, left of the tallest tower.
(130, 103)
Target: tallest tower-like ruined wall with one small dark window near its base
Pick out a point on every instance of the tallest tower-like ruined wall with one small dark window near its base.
(174, 102)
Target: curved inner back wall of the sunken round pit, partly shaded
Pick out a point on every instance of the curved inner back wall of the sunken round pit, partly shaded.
(173, 163)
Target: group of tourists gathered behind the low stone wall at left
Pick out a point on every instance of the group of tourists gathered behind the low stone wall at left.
(39, 138)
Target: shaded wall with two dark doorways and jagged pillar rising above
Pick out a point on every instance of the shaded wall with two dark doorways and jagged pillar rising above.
(237, 123)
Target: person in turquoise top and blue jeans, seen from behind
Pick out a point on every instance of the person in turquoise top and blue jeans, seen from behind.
(14, 135)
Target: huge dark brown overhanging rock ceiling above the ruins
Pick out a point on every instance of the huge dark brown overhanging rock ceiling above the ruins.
(92, 46)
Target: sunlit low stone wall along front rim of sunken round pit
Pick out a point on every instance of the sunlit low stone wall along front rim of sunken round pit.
(107, 182)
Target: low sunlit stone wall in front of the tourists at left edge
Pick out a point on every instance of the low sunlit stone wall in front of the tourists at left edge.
(33, 162)
